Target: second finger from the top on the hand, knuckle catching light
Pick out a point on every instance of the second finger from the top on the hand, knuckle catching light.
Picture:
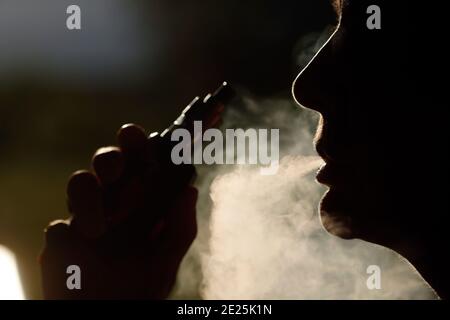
(108, 164)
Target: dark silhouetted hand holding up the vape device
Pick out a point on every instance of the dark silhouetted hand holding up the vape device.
(121, 252)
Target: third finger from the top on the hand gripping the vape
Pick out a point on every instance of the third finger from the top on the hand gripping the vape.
(84, 202)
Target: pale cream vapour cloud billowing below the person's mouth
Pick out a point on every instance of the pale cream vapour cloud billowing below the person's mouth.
(260, 237)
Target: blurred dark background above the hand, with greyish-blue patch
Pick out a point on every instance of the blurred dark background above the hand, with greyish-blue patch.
(64, 93)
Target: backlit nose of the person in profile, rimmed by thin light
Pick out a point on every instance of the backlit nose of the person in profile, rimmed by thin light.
(315, 86)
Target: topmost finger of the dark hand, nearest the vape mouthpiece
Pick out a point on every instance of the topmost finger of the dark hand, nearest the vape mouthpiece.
(132, 139)
